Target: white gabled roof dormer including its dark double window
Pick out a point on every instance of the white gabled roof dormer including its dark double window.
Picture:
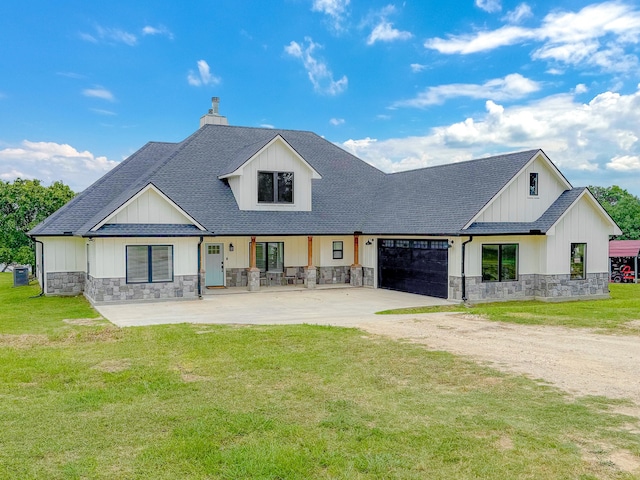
(274, 178)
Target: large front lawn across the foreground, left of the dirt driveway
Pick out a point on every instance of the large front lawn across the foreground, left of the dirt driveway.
(283, 402)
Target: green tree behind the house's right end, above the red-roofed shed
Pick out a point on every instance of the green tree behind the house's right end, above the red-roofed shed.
(623, 207)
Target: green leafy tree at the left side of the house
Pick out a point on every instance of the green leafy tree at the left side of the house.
(24, 204)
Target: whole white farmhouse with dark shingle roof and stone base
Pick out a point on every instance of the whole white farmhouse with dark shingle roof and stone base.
(253, 207)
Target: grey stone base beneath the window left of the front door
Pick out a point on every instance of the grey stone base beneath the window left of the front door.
(118, 290)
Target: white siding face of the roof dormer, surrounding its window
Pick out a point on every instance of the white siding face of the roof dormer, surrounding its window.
(277, 157)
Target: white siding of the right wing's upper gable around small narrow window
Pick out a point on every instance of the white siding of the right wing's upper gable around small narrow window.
(514, 204)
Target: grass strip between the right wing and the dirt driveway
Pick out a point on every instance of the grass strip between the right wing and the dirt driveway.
(612, 314)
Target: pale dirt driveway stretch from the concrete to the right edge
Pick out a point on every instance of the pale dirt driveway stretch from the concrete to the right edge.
(576, 360)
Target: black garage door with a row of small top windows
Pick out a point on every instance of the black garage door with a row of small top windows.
(414, 266)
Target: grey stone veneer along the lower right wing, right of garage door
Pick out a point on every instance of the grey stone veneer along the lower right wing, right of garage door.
(544, 287)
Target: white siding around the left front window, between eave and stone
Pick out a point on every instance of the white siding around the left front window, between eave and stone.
(110, 255)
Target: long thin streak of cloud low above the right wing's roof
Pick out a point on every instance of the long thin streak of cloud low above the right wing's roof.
(510, 87)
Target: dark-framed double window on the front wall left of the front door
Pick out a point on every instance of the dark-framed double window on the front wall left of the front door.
(149, 263)
